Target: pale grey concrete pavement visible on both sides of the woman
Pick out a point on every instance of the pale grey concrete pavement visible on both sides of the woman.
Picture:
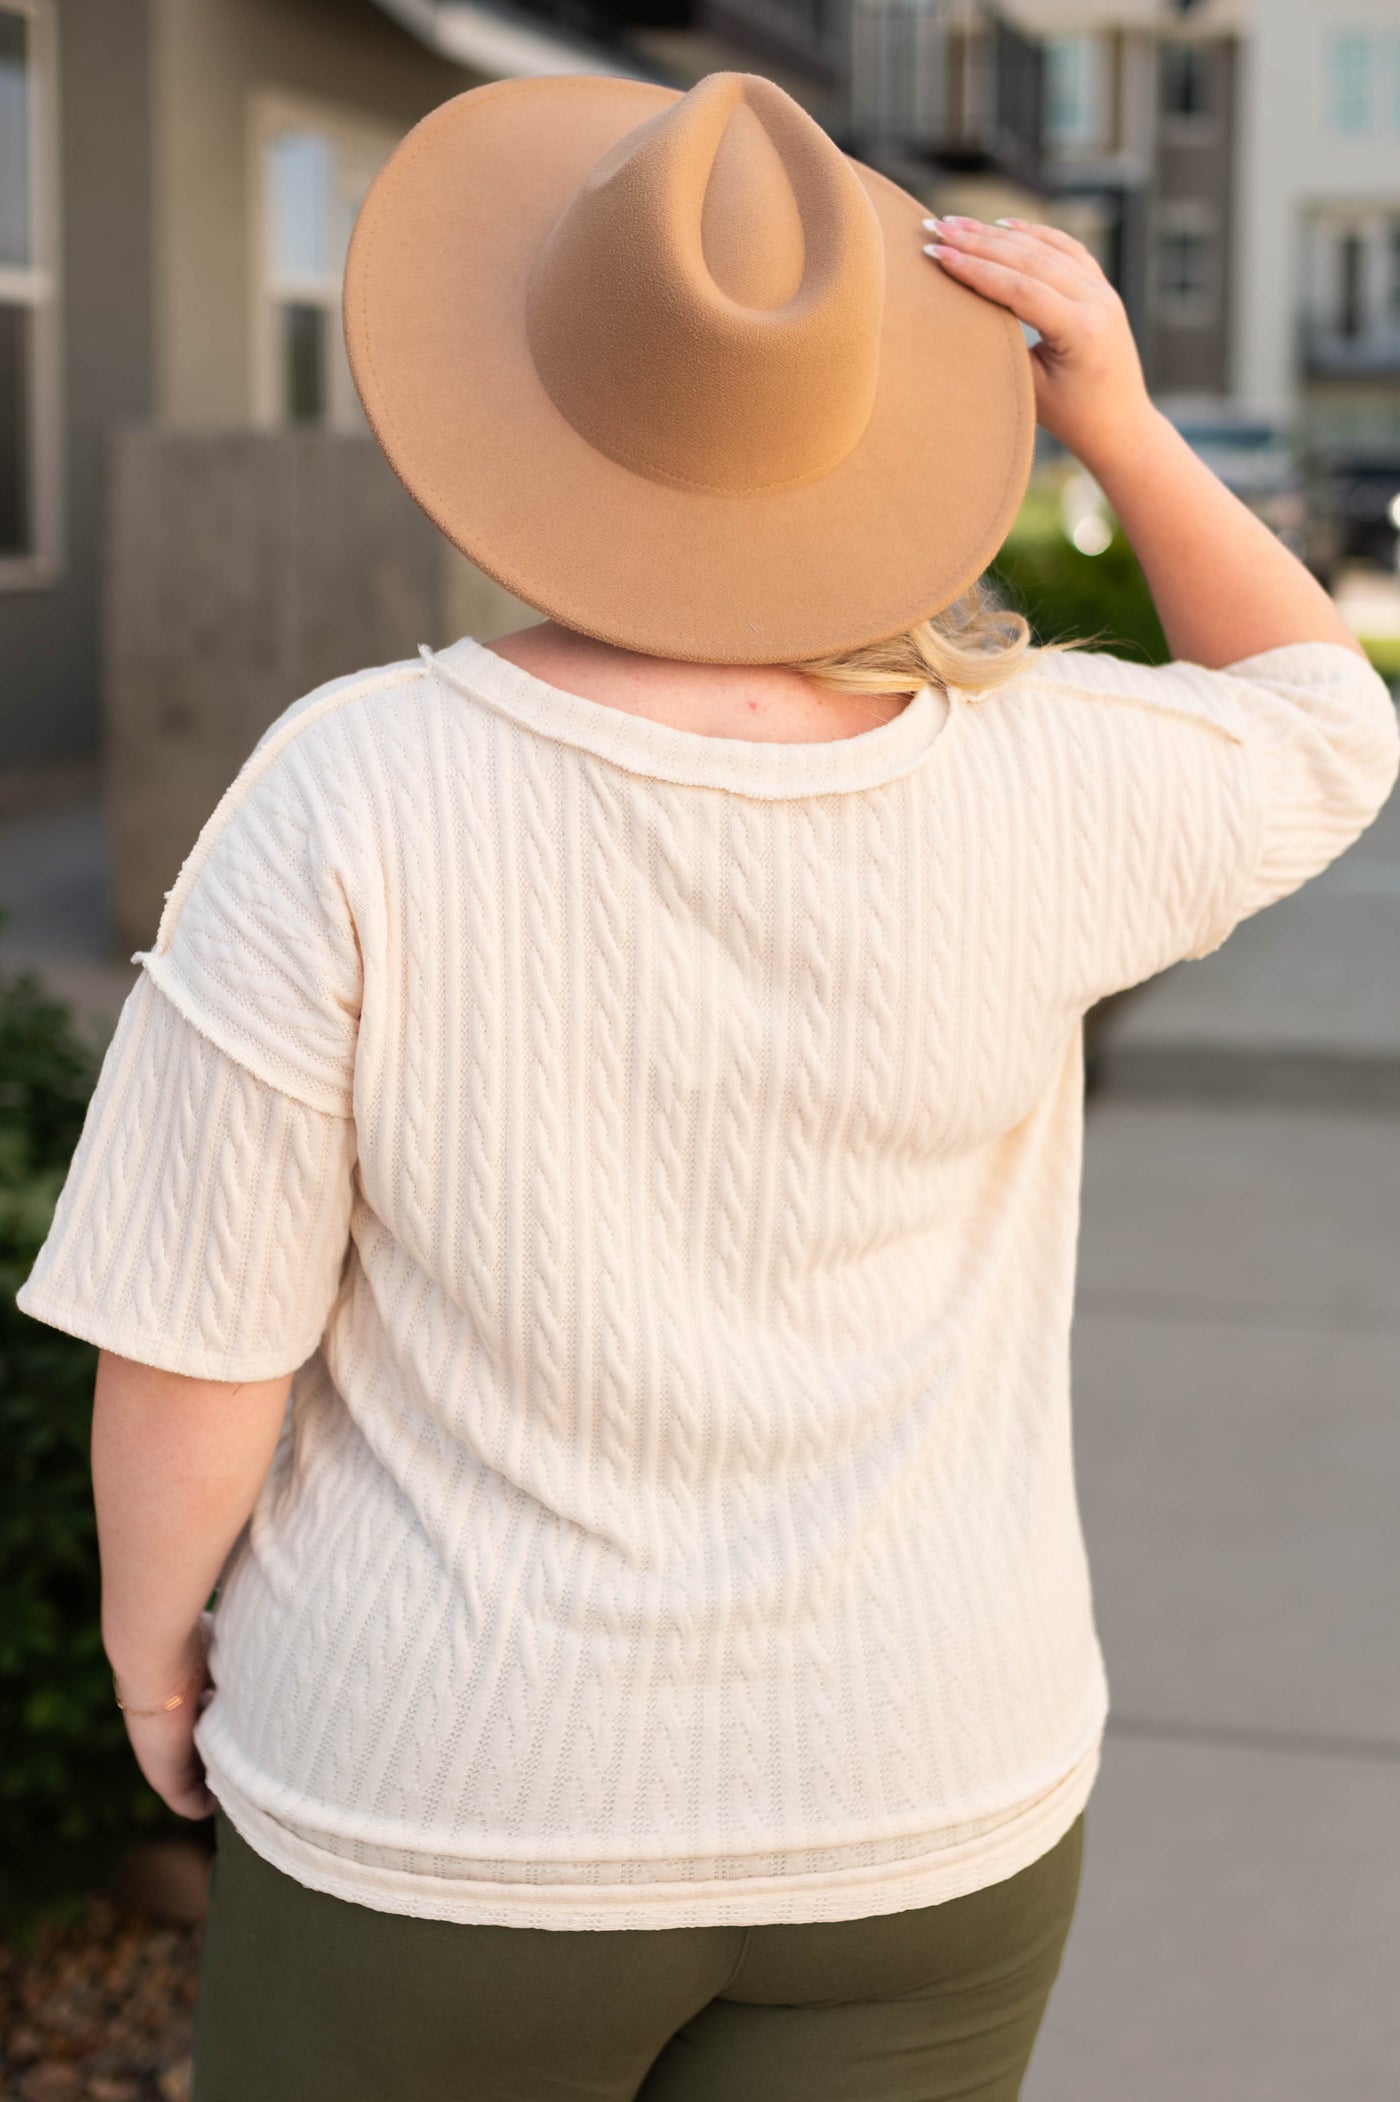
(1239, 1458)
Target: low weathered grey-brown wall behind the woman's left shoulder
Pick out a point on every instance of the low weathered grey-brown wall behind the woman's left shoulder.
(245, 571)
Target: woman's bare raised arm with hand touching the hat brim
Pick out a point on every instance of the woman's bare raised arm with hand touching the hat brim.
(1222, 585)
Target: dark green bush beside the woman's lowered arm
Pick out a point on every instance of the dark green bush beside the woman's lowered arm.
(70, 1792)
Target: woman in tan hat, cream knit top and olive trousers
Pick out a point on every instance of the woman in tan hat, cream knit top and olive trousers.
(625, 1088)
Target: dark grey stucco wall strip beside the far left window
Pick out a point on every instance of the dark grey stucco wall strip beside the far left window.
(49, 634)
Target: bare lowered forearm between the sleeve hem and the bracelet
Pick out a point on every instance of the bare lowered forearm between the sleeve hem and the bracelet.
(178, 1466)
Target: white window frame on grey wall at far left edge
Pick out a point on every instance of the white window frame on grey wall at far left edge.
(37, 287)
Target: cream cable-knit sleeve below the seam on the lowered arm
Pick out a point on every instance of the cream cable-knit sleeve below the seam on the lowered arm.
(205, 1220)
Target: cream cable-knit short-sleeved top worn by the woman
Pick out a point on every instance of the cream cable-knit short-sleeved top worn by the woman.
(659, 1155)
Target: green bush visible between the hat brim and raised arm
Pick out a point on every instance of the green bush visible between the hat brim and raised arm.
(1098, 600)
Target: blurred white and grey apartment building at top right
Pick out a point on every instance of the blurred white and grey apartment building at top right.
(1239, 163)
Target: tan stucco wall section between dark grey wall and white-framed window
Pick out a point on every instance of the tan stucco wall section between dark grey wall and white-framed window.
(213, 56)
